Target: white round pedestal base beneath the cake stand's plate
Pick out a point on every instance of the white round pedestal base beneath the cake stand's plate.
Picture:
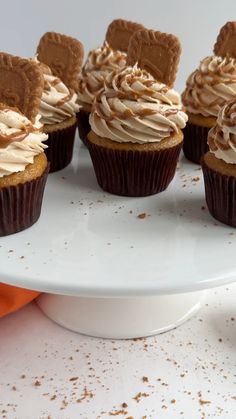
(121, 318)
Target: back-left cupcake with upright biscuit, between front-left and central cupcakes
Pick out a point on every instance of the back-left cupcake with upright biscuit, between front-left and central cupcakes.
(61, 57)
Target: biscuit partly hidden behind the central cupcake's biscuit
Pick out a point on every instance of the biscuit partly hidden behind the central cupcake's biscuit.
(119, 33)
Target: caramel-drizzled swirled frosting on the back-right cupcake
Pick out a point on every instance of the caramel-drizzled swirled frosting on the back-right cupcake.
(210, 86)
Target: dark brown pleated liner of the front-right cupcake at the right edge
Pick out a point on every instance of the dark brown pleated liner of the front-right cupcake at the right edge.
(220, 193)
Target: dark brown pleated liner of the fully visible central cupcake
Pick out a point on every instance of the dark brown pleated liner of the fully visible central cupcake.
(133, 173)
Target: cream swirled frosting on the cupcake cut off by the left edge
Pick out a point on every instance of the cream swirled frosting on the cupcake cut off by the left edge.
(20, 141)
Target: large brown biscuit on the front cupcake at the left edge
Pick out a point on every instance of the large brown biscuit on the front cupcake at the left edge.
(21, 84)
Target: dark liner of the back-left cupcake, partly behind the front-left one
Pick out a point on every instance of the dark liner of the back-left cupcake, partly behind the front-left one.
(60, 147)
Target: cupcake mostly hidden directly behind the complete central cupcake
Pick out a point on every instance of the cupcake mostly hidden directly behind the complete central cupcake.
(100, 62)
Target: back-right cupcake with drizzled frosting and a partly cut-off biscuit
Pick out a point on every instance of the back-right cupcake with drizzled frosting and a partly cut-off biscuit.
(207, 90)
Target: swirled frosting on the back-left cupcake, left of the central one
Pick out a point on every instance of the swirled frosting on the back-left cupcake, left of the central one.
(58, 103)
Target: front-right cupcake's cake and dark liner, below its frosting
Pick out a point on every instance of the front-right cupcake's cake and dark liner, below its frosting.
(220, 189)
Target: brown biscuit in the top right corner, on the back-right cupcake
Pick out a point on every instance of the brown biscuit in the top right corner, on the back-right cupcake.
(226, 41)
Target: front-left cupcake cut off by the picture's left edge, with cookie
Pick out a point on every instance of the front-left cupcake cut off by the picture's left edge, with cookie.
(23, 163)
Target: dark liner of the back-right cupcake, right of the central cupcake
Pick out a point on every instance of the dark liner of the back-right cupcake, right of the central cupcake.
(195, 142)
